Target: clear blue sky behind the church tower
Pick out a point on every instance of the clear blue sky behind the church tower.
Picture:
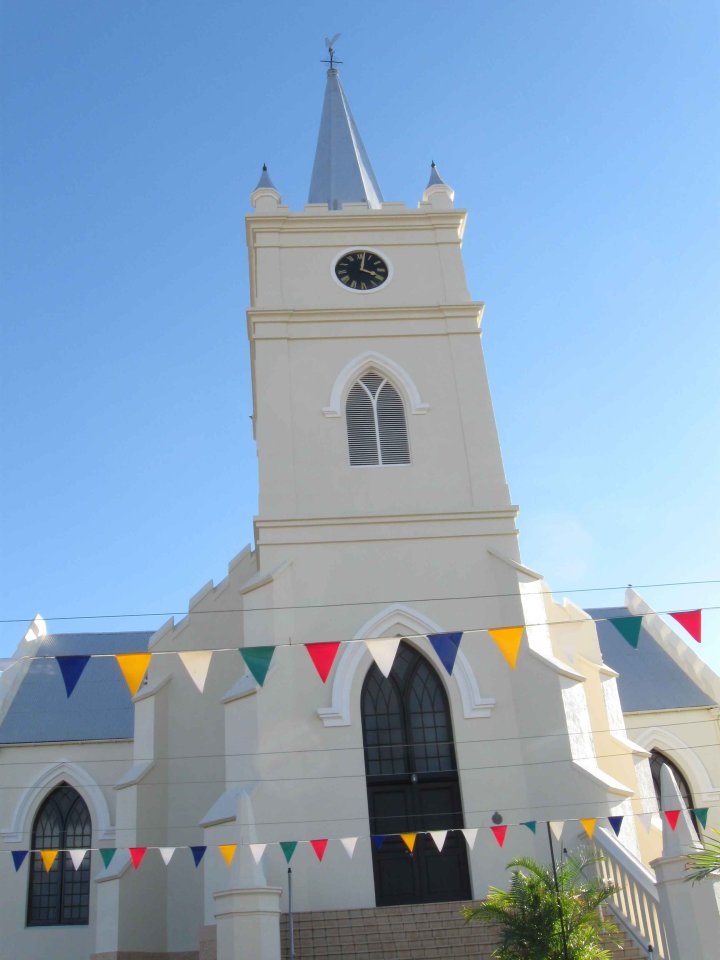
(582, 137)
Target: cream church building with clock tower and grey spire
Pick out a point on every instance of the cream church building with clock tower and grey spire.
(384, 514)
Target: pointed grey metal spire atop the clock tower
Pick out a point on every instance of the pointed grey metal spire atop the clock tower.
(342, 172)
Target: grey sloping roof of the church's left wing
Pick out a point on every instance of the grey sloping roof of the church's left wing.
(100, 707)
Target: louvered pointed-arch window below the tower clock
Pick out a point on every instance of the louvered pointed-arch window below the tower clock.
(375, 415)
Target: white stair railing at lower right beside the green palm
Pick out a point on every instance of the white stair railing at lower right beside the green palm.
(635, 905)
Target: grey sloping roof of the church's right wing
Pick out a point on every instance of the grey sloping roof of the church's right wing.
(649, 677)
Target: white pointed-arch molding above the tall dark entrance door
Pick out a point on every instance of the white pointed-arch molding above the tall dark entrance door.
(356, 655)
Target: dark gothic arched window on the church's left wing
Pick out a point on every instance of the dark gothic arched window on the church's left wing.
(62, 894)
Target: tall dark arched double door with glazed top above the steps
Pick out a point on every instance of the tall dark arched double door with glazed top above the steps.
(412, 783)
